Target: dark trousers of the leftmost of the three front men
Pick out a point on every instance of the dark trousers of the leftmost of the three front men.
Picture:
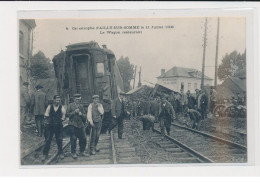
(50, 130)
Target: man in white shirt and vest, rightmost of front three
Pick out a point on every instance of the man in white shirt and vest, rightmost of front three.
(95, 117)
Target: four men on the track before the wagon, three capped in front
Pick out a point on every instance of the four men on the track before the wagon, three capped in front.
(78, 121)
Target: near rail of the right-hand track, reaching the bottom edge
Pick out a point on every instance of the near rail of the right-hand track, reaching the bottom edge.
(201, 157)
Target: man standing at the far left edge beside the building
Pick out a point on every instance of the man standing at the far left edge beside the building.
(24, 102)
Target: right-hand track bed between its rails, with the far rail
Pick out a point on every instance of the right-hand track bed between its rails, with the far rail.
(214, 148)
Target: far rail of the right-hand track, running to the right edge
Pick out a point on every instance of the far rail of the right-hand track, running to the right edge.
(239, 146)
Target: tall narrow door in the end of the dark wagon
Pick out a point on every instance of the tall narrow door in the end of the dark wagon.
(84, 77)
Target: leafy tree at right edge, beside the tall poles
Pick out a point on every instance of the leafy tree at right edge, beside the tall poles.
(231, 64)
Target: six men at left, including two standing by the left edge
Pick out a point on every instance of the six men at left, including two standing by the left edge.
(49, 120)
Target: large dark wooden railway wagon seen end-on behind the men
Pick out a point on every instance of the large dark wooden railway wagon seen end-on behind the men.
(87, 69)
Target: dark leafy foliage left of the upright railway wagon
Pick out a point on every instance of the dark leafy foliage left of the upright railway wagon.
(41, 66)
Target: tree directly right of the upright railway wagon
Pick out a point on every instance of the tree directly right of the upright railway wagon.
(126, 70)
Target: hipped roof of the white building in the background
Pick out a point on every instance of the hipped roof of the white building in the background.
(183, 72)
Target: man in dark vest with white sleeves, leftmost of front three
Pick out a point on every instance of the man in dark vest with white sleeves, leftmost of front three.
(54, 116)
